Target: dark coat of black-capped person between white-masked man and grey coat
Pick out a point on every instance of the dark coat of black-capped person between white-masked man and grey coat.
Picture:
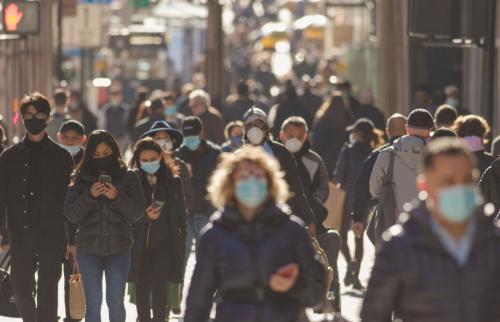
(349, 166)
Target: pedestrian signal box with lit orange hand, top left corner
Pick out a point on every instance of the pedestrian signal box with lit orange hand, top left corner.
(20, 17)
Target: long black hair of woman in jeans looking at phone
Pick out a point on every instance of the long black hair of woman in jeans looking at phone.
(87, 166)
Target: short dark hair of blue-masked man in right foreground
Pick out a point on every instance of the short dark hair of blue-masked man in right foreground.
(446, 147)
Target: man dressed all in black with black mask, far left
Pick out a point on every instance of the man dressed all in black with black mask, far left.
(34, 176)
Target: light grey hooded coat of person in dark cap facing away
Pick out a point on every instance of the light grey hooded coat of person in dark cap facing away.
(409, 153)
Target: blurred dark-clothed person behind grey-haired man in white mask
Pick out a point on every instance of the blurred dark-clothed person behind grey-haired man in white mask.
(288, 105)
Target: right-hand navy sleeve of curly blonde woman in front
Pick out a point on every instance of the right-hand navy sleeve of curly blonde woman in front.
(310, 286)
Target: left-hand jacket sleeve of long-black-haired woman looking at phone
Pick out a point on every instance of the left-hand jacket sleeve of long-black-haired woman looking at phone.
(78, 203)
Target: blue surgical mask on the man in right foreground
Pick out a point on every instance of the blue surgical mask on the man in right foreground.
(457, 203)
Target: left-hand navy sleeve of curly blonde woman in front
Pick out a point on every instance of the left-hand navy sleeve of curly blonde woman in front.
(204, 281)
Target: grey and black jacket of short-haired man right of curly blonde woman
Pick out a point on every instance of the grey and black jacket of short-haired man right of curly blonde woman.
(315, 179)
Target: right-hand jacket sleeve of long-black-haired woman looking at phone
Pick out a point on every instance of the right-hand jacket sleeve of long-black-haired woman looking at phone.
(130, 201)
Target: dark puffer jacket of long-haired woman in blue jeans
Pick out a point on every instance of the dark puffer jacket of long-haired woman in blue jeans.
(104, 225)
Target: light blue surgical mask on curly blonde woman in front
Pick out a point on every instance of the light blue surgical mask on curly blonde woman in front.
(251, 192)
